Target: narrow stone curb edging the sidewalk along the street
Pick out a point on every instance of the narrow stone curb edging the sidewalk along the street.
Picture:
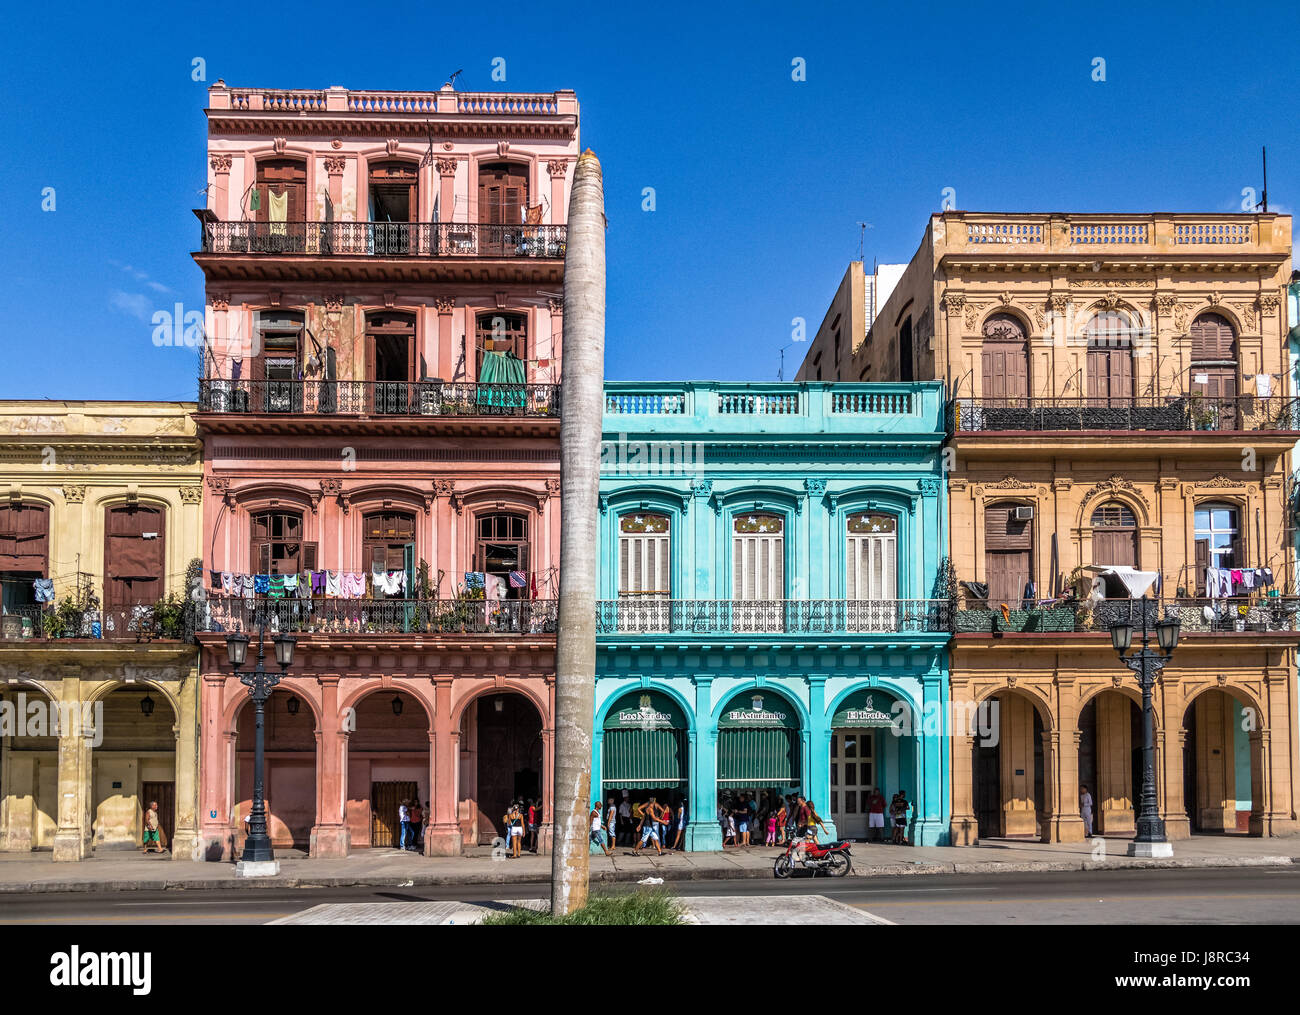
(694, 874)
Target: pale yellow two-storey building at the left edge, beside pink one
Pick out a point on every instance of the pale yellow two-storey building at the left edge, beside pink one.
(101, 519)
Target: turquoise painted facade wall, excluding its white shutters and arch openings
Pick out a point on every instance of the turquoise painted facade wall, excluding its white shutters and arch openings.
(812, 454)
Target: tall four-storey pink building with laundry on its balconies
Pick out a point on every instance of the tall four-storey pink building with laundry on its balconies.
(380, 410)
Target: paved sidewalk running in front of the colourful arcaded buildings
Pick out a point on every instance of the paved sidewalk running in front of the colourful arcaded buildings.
(27, 873)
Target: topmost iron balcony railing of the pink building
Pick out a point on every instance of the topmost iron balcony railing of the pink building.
(387, 240)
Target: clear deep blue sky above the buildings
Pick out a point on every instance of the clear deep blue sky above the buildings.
(760, 181)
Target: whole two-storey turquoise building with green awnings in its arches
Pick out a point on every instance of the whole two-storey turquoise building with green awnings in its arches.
(772, 615)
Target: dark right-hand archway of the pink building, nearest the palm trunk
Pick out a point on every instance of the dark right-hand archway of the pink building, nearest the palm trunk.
(501, 739)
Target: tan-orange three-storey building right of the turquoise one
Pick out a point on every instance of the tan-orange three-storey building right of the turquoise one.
(1121, 420)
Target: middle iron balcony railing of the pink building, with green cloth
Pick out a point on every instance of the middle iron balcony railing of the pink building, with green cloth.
(378, 398)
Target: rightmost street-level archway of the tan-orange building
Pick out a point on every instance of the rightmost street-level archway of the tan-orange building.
(1220, 764)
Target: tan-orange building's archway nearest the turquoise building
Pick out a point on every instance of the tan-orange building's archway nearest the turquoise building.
(1008, 773)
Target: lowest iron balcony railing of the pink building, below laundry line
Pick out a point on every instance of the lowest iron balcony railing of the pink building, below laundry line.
(380, 617)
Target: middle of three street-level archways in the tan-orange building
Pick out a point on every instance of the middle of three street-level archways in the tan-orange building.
(1111, 761)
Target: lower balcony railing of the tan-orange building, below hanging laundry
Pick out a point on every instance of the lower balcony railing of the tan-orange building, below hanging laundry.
(1198, 617)
